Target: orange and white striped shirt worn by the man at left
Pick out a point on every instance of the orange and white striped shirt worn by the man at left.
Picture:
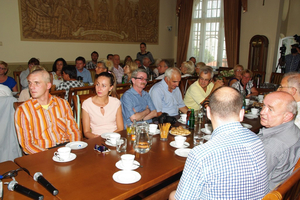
(39, 128)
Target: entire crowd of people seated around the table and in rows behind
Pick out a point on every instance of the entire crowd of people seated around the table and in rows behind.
(235, 163)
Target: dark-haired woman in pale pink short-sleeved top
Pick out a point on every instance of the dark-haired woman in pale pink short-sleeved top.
(102, 113)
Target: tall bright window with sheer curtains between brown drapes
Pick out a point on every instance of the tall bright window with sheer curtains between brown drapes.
(207, 40)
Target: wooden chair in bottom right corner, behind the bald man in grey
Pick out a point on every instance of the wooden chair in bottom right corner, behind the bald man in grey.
(289, 189)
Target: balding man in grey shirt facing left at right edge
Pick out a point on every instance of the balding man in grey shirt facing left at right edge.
(280, 136)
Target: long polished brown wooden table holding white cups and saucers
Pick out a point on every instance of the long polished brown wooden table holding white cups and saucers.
(89, 176)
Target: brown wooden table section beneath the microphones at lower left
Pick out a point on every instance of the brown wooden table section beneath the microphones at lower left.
(23, 179)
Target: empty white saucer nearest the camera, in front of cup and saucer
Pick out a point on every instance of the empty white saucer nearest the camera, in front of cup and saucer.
(126, 177)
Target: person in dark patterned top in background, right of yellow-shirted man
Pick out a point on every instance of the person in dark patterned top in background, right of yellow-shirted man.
(245, 85)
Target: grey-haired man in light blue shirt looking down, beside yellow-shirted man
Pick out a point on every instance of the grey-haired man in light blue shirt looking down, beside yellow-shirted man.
(166, 95)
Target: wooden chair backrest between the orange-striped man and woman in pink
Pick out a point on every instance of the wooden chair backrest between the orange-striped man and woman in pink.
(77, 101)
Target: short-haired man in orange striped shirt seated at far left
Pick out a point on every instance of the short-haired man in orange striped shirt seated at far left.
(44, 121)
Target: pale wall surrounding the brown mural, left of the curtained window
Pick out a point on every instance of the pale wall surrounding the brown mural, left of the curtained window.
(13, 50)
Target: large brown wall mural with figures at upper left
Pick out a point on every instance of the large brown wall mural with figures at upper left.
(121, 21)
